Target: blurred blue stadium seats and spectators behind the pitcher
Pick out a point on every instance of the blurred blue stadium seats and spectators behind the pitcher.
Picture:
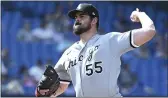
(34, 34)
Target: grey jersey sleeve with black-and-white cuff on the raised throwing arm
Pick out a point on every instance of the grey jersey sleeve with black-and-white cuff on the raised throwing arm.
(122, 41)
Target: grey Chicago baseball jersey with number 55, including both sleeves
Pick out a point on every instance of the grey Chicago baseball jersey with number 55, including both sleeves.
(94, 66)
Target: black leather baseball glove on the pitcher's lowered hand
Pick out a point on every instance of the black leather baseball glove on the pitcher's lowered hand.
(48, 84)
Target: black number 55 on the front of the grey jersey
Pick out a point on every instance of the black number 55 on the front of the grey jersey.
(98, 68)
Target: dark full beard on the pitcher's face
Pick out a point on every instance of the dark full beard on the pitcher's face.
(79, 29)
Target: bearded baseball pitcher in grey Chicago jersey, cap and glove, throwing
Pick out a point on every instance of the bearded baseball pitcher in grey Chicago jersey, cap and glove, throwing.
(93, 63)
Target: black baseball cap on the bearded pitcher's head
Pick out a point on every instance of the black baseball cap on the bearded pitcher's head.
(85, 8)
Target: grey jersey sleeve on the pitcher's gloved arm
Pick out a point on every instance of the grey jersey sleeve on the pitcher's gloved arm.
(60, 69)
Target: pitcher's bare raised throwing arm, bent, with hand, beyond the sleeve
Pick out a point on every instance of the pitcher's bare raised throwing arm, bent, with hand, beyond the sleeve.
(144, 34)
